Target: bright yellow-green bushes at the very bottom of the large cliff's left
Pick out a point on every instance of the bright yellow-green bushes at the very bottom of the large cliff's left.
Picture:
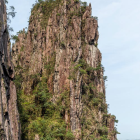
(47, 129)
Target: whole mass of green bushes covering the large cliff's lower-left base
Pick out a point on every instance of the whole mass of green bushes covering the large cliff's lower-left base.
(38, 115)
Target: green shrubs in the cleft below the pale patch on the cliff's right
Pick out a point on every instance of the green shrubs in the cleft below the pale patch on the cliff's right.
(89, 97)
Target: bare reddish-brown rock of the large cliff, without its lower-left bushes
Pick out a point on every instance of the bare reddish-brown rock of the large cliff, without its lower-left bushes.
(68, 41)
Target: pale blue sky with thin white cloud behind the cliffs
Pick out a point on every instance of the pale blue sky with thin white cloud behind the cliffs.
(119, 42)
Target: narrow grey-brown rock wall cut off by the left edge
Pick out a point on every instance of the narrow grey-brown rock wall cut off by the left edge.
(9, 117)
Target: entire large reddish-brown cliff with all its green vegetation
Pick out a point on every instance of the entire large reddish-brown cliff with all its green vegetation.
(58, 66)
